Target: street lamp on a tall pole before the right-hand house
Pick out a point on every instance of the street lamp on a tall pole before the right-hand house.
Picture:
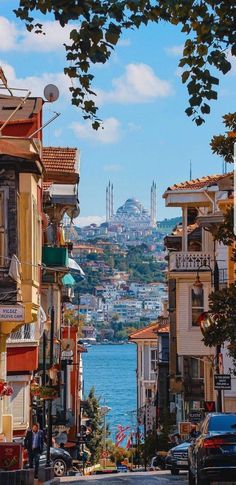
(207, 321)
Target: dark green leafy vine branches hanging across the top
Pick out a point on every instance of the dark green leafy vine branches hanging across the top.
(209, 27)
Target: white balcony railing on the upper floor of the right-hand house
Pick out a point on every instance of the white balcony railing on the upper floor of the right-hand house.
(190, 261)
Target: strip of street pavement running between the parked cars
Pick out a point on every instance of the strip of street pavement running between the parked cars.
(149, 478)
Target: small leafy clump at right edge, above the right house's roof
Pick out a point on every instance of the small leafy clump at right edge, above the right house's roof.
(223, 145)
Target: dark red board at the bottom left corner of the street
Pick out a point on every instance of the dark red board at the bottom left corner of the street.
(10, 456)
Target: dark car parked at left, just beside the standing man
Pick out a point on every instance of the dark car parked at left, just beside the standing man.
(61, 461)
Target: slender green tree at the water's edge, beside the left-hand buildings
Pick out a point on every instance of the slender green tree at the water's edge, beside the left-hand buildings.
(95, 438)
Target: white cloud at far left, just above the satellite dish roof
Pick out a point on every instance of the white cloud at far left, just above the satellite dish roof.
(36, 84)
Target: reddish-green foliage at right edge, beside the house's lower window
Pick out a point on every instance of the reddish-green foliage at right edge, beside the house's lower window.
(222, 309)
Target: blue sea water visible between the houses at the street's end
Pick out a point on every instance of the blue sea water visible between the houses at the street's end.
(111, 370)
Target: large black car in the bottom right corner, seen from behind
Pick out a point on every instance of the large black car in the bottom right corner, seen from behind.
(212, 456)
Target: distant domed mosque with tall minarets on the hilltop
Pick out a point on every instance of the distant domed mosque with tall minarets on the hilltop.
(131, 214)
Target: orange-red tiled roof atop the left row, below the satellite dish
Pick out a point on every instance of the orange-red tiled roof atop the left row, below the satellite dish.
(60, 159)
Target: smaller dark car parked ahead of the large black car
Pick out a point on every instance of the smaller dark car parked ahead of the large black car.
(177, 458)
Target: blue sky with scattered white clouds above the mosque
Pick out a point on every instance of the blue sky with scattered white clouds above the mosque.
(147, 135)
